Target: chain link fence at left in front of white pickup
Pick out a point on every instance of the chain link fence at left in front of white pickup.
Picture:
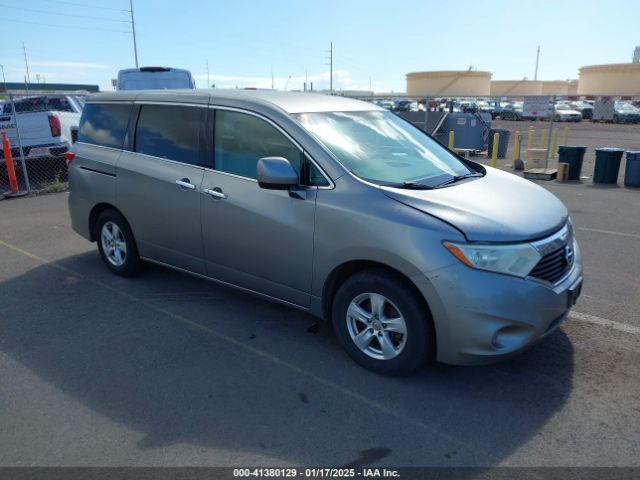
(38, 131)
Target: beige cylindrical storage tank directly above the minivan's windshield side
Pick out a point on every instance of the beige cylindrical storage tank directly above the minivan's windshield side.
(449, 83)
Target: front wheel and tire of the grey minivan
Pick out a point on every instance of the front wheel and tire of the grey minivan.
(382, 324)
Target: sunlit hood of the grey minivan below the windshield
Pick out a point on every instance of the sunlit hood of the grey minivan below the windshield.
(499, 207)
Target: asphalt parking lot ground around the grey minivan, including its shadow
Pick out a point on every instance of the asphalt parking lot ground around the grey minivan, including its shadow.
(168, 369)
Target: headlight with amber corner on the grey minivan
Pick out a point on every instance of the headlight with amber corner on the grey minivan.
(517, 260)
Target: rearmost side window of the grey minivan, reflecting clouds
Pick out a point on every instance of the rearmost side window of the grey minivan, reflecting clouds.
(104, 124)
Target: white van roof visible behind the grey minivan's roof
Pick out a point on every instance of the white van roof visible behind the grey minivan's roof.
(154, 78)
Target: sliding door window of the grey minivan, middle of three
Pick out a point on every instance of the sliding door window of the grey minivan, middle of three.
(170, 132)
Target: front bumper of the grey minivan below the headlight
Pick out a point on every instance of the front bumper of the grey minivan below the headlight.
(482, 317)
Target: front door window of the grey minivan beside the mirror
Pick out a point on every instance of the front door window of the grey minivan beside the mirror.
(240, 140)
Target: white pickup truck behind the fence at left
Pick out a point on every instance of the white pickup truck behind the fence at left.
(47, 124)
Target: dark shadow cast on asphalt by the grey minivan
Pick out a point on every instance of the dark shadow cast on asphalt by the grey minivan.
(290, 395)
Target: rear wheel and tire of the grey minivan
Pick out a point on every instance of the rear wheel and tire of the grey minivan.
(116, 244)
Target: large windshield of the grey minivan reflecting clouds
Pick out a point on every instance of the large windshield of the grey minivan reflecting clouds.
(383, 148)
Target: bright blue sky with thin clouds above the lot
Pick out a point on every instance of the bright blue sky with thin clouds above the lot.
(85, 41)
